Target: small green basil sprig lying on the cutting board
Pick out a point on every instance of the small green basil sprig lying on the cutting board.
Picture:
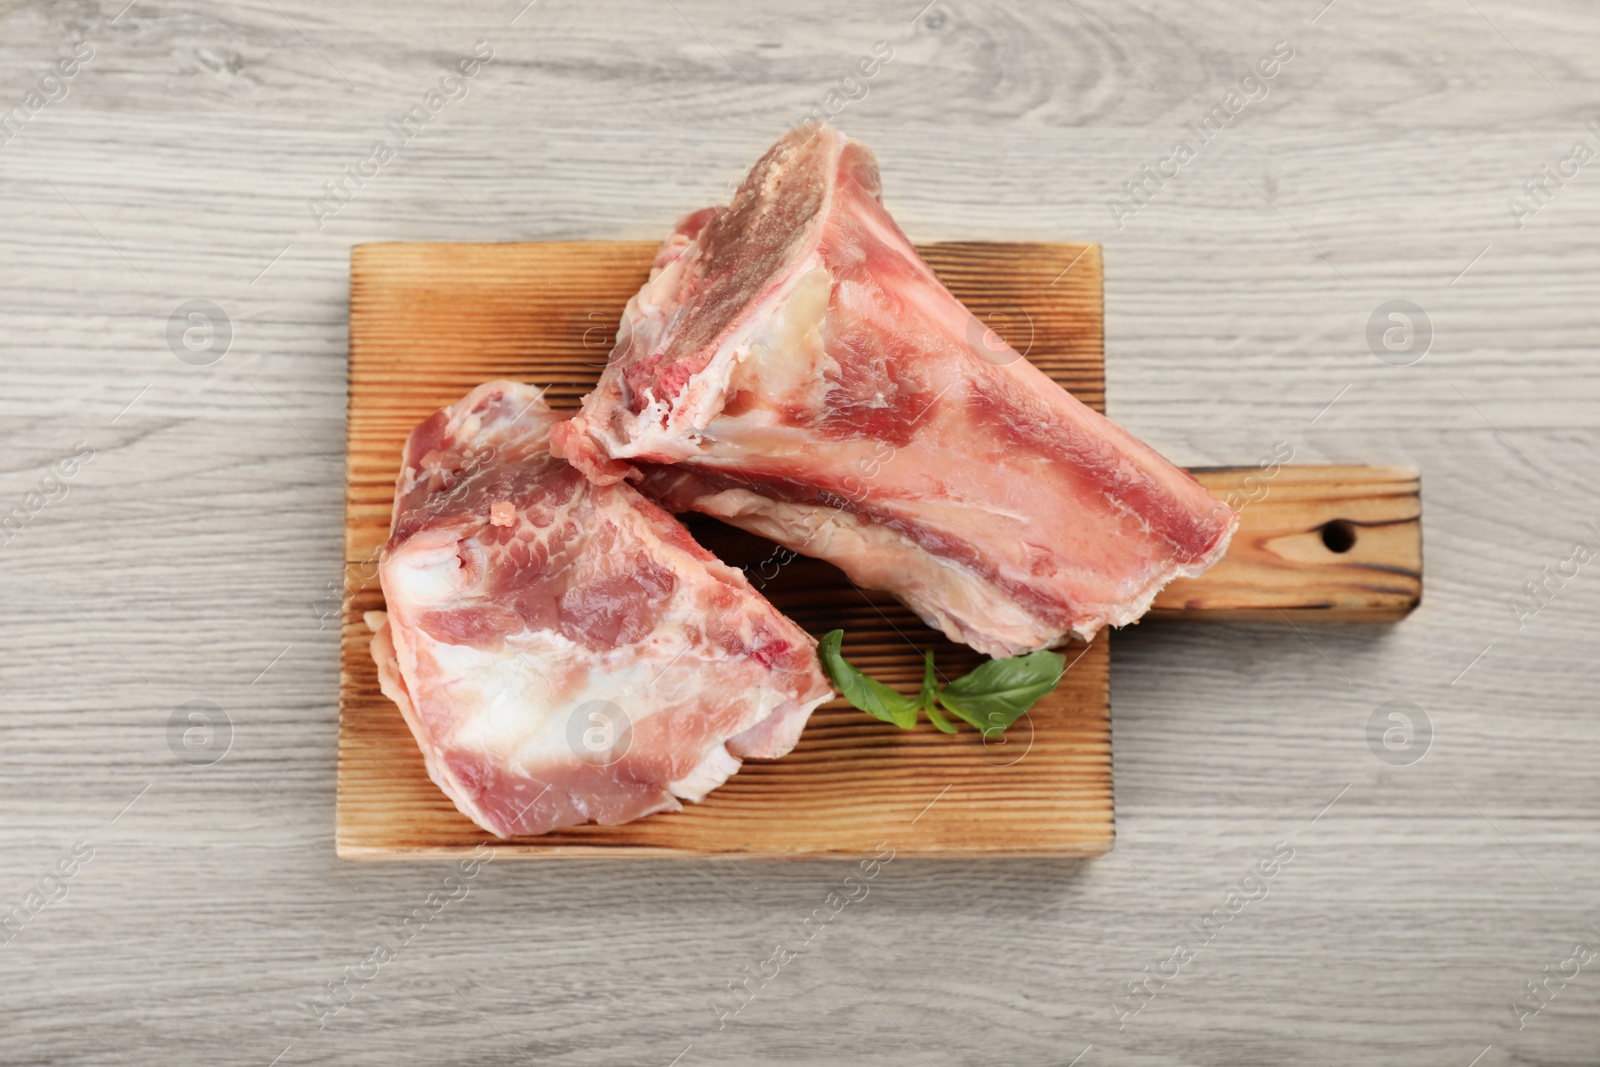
(991, 698)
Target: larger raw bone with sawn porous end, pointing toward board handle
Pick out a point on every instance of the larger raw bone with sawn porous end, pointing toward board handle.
(796, 369)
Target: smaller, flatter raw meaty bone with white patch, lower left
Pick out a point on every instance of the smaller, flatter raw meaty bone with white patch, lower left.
(566, 652)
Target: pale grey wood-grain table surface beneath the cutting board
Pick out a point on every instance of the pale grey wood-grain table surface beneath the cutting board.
(174, 597)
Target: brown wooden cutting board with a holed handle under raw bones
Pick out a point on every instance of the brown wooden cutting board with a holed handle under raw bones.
(430, 322)
